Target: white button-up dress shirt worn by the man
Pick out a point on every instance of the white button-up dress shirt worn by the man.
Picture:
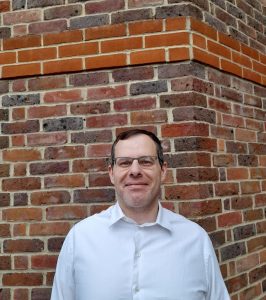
(109, 257)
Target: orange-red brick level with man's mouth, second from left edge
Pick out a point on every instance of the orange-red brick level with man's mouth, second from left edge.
(67, 181)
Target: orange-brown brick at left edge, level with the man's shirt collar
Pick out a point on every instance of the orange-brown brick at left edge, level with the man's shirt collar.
(22, 214)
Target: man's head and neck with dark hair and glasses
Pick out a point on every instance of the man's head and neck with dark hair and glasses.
(137, 171)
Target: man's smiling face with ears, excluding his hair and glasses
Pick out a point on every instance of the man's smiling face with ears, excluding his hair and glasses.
(137, 187)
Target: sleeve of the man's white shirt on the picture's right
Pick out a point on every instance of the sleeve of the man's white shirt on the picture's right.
(216, 286)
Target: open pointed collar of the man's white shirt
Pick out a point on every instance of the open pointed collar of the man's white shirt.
(162, 220)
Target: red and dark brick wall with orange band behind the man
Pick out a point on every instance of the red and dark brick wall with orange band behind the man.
(73, 75)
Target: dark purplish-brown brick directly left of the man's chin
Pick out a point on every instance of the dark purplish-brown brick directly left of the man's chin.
(94, 195)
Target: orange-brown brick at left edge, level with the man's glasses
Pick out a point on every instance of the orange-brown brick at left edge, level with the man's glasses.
(21, 155)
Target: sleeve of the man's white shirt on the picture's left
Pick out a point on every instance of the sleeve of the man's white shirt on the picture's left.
(63, 285)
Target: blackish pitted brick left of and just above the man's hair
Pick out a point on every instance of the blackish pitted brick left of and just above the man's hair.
(62, 124)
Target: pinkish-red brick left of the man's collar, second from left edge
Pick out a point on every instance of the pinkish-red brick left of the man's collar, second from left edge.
(66, 212)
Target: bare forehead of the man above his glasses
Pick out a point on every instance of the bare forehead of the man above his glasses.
(137, 145)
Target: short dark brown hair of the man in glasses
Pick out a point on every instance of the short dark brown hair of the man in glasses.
(132, 132)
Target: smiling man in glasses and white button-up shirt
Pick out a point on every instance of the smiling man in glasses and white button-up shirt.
(136, 249)
